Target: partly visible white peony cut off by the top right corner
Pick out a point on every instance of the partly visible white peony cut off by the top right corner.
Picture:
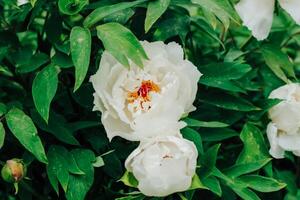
(257, 15)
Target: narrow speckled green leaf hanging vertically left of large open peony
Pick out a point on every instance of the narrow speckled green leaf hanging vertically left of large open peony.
(80, 44)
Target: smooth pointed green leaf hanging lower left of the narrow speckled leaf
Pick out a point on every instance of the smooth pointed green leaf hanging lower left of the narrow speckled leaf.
(44, 87)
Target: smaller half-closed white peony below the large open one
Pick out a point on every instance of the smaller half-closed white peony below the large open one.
(164, 165)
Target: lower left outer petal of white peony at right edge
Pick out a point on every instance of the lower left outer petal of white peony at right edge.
(275, 150)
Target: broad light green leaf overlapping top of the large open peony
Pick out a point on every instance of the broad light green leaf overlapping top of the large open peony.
(121, 43)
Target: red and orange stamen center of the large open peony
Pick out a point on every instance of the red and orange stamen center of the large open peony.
(142, 93)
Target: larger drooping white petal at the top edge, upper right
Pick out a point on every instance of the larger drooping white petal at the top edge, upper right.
(257, 15)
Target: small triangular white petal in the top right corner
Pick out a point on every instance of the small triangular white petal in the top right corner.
(292, 7)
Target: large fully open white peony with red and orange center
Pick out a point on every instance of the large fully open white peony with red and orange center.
(143, 103)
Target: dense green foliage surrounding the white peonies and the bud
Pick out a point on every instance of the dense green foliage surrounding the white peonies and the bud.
(48, 50)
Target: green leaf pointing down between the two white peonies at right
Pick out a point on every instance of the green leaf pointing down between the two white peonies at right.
(278, 62)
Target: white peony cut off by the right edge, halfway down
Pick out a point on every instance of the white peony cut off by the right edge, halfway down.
(284, 130)
